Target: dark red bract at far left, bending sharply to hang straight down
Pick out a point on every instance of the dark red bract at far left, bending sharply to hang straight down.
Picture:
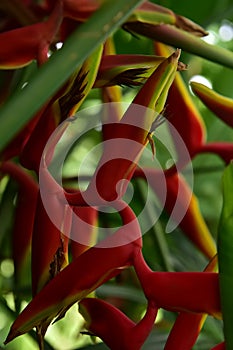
(23, 224)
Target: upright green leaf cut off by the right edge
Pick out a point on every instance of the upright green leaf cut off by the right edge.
(225, 252)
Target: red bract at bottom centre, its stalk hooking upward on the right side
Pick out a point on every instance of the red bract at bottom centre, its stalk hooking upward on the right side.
(114, 327)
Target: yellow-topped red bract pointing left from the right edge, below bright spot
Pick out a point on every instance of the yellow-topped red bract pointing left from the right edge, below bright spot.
(220, 105)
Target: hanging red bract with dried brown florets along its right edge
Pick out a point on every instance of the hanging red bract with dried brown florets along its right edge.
(49, 244)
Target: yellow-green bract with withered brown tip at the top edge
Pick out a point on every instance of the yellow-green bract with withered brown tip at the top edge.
(152, 14)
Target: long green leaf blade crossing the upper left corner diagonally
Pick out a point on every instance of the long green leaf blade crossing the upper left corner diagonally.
(24, 104)
